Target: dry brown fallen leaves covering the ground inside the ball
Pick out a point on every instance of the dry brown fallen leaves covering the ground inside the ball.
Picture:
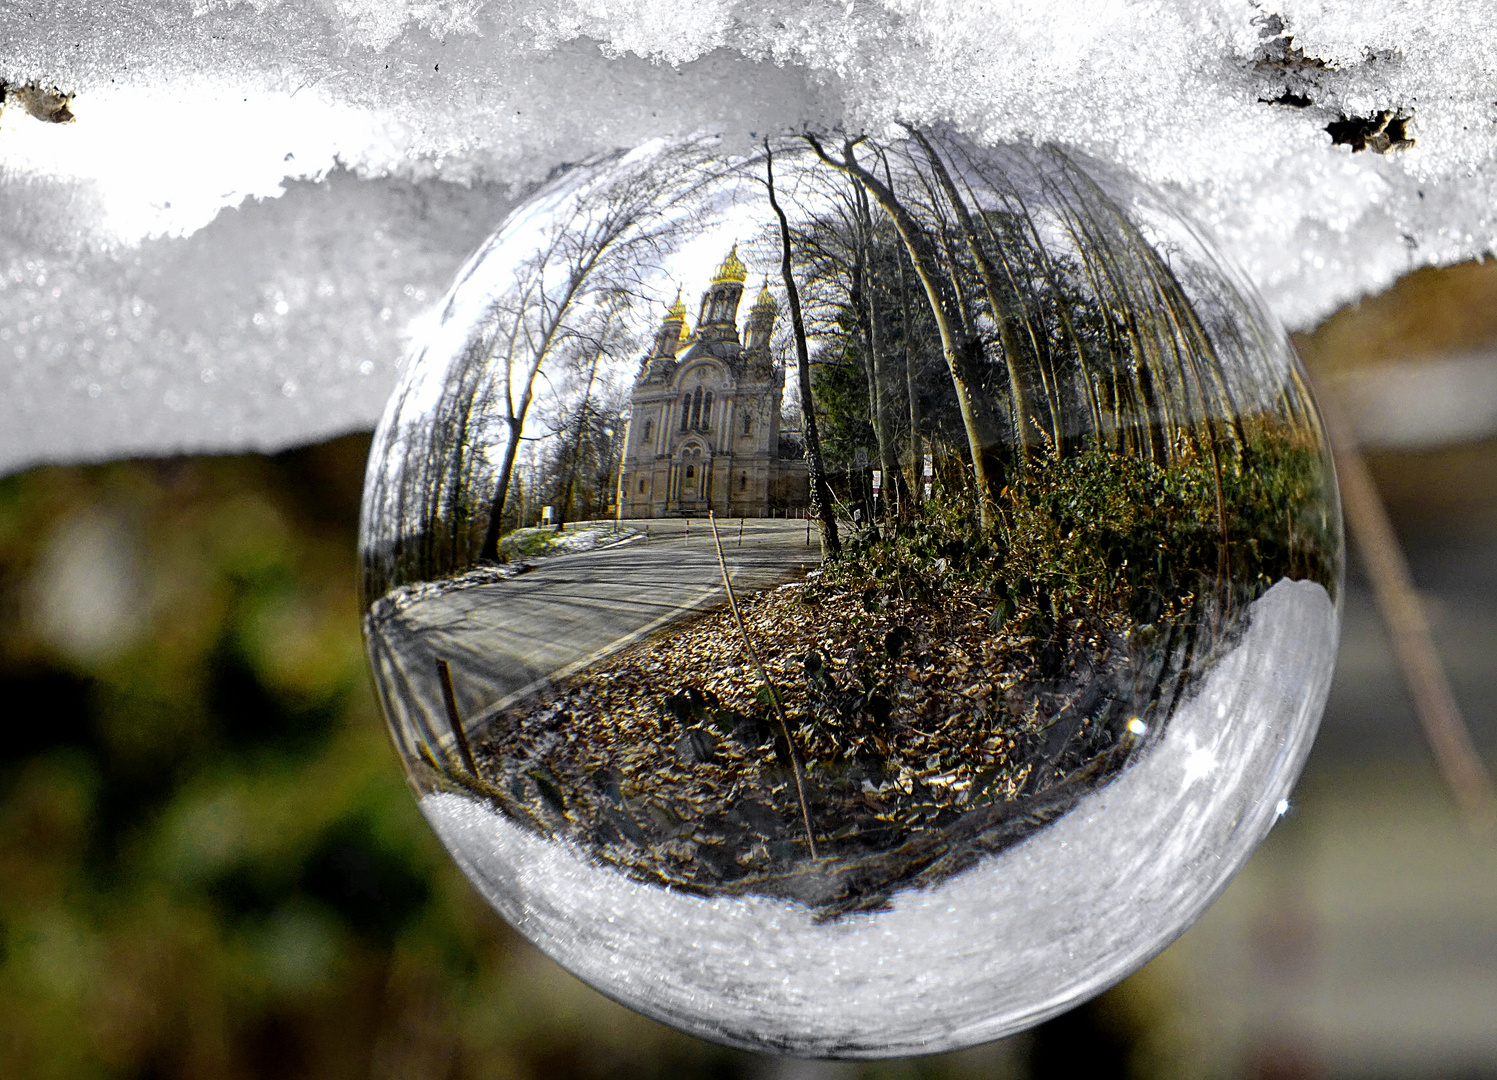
(915, 723)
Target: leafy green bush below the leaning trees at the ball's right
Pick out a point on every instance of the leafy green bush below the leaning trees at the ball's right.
(1109, 531)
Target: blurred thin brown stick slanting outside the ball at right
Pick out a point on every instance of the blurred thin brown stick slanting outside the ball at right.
(1408, 627)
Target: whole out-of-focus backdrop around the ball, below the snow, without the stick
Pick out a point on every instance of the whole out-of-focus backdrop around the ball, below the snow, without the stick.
(210, 865)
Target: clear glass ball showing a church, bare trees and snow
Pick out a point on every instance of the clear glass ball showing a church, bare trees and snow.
(851, 598)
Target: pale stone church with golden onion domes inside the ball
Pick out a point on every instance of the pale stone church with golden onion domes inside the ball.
(704, 426)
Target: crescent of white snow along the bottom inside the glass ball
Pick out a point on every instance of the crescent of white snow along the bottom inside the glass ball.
(1020, 937)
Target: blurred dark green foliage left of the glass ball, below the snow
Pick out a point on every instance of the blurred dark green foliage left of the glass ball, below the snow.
(210, 865)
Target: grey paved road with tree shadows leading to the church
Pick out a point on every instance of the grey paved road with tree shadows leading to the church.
(504, 640)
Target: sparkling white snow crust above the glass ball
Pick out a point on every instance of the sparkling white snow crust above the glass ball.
(135, 257)
